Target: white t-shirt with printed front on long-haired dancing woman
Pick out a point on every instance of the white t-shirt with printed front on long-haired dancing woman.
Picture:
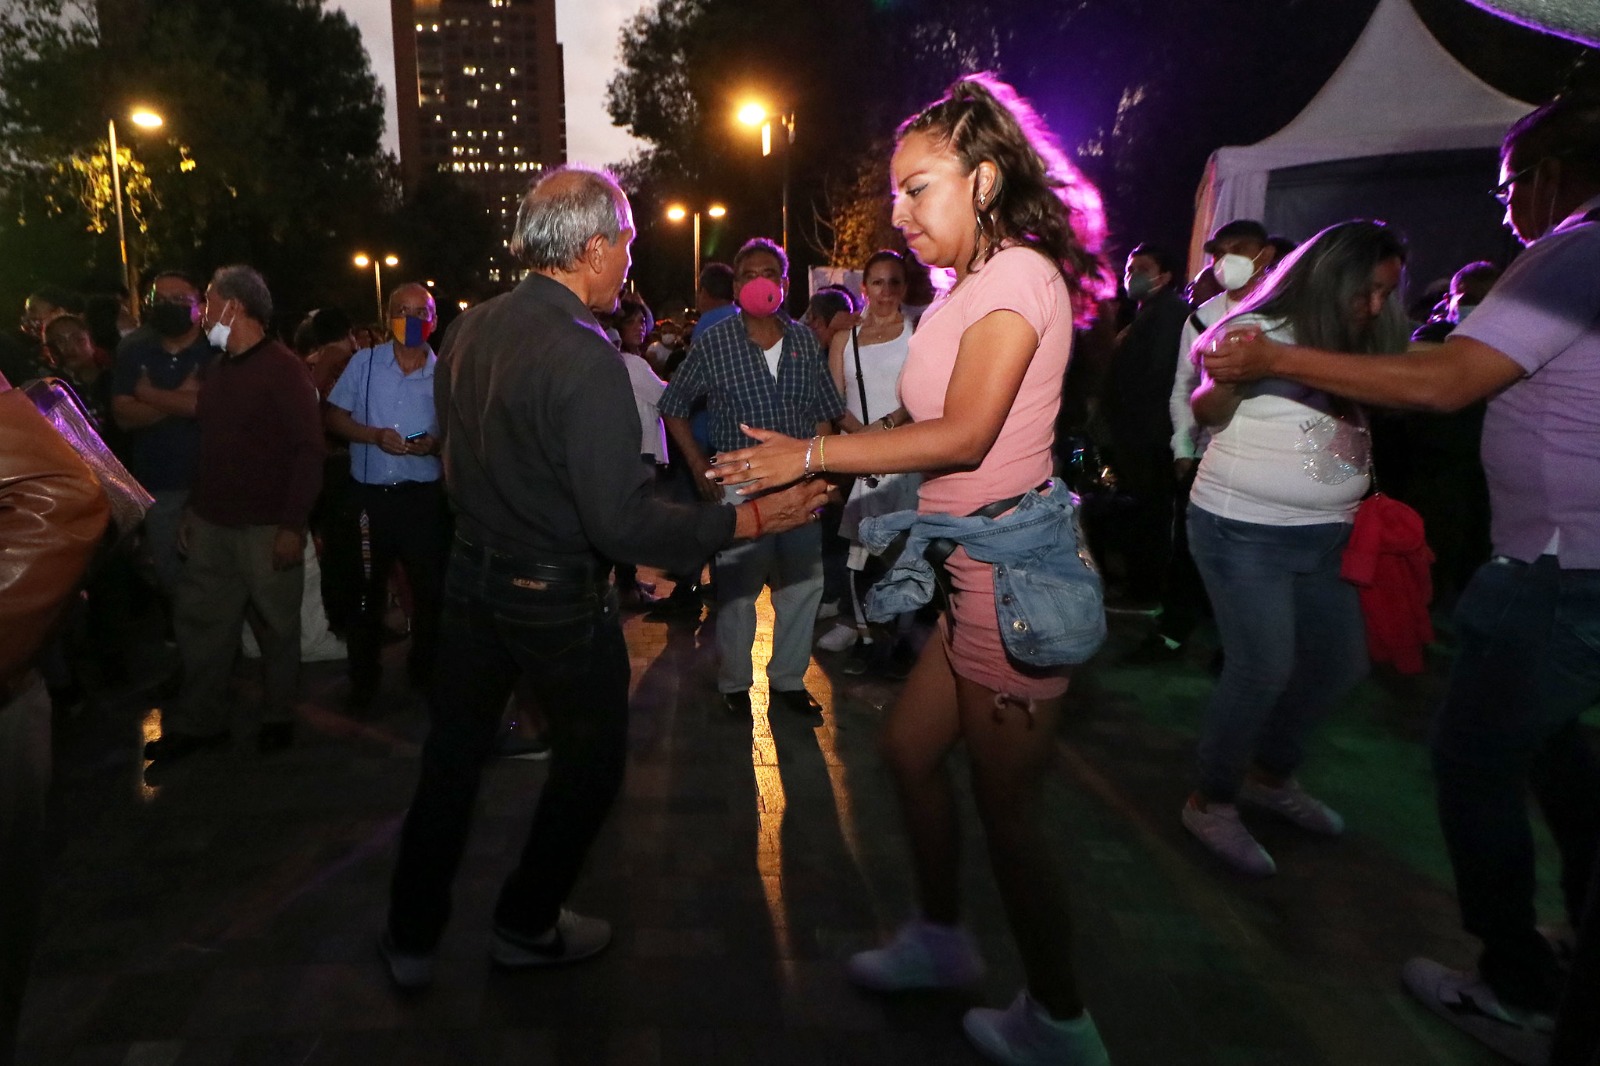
(1289, 455)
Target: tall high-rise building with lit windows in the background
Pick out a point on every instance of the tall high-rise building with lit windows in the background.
(481, 97)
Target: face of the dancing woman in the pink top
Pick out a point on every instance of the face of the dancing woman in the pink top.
(934, 202)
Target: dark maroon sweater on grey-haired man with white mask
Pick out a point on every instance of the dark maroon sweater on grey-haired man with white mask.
(260, 439)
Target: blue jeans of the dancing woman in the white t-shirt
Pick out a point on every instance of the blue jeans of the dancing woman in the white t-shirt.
(1294, 636)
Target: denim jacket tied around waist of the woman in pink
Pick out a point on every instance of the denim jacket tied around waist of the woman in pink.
(1049, 591)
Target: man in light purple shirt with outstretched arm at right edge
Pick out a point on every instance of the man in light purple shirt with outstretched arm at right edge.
(1529, 623)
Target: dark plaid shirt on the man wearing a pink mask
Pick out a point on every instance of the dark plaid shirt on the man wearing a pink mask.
(730, 371)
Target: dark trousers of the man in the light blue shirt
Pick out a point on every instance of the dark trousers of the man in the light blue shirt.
(406, 523)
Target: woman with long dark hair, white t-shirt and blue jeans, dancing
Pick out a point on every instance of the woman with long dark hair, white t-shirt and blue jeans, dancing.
(1270, 516)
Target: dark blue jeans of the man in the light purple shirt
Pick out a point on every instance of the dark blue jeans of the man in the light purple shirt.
(1529, 667)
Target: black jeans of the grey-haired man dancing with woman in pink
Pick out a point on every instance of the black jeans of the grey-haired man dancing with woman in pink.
(508, 619)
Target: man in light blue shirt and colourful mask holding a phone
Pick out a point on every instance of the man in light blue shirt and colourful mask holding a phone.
(385, 407)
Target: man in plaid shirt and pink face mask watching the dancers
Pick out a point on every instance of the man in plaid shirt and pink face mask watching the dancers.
(759, 369)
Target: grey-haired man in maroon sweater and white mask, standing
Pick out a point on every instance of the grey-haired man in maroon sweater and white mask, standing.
(244, 532)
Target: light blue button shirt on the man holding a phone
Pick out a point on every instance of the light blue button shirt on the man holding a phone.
(377, 393)
